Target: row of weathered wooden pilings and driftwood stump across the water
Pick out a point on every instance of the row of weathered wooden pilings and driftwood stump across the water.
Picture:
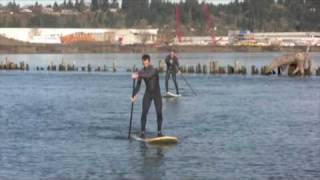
(213, 68)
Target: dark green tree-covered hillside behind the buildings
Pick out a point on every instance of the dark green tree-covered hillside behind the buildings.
(253, 15)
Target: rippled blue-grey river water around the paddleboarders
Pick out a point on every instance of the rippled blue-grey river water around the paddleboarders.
(75, 125)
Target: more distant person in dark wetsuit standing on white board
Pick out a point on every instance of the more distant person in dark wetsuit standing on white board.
(172, 69)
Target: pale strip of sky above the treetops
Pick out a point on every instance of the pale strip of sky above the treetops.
(28, 2)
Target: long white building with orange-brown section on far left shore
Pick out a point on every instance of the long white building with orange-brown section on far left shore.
(72, 35)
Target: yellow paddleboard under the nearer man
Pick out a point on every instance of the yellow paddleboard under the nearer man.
(164, 140)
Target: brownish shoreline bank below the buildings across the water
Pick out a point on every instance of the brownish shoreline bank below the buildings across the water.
(103, 48)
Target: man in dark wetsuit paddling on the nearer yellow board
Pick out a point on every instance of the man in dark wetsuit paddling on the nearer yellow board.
(150, 76)
